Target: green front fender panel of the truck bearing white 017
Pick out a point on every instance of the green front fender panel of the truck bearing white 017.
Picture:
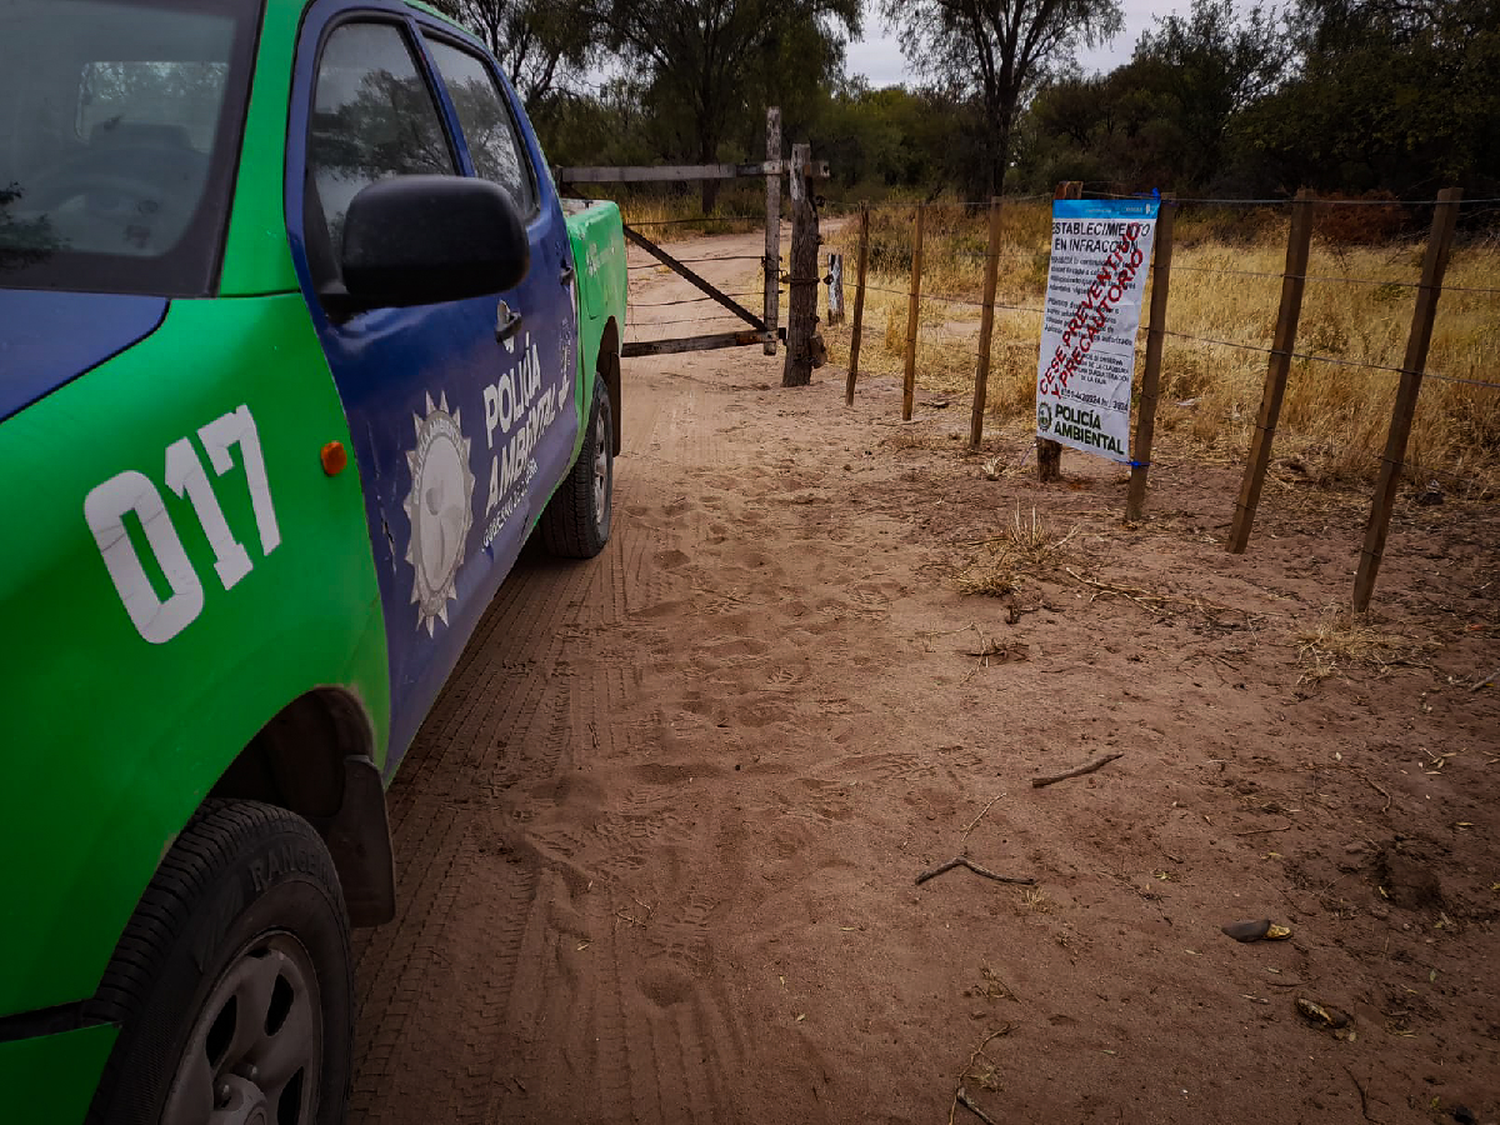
(112, 736)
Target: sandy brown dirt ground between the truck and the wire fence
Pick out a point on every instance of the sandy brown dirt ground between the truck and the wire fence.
(658, 842)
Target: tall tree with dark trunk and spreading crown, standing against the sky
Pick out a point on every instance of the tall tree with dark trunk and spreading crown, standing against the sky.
(994, 55)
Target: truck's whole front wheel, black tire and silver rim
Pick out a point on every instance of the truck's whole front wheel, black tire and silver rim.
(233, 980)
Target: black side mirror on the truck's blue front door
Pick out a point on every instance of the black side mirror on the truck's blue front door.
(428, 239)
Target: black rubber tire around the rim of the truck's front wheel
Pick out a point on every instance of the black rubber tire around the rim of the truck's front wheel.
(238, 872)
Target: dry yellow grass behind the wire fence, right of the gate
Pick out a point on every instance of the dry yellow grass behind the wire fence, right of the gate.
(1226, 295)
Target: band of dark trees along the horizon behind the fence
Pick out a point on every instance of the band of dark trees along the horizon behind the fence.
(1339, 95)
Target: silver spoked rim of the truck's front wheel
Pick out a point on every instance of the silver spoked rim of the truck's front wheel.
(256, 1051)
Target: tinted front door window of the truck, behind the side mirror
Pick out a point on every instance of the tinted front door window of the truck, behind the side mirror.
(373, 118)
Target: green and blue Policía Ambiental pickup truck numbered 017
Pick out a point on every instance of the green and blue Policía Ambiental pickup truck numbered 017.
(298, 349)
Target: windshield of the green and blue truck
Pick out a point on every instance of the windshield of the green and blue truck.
(119, 137)
